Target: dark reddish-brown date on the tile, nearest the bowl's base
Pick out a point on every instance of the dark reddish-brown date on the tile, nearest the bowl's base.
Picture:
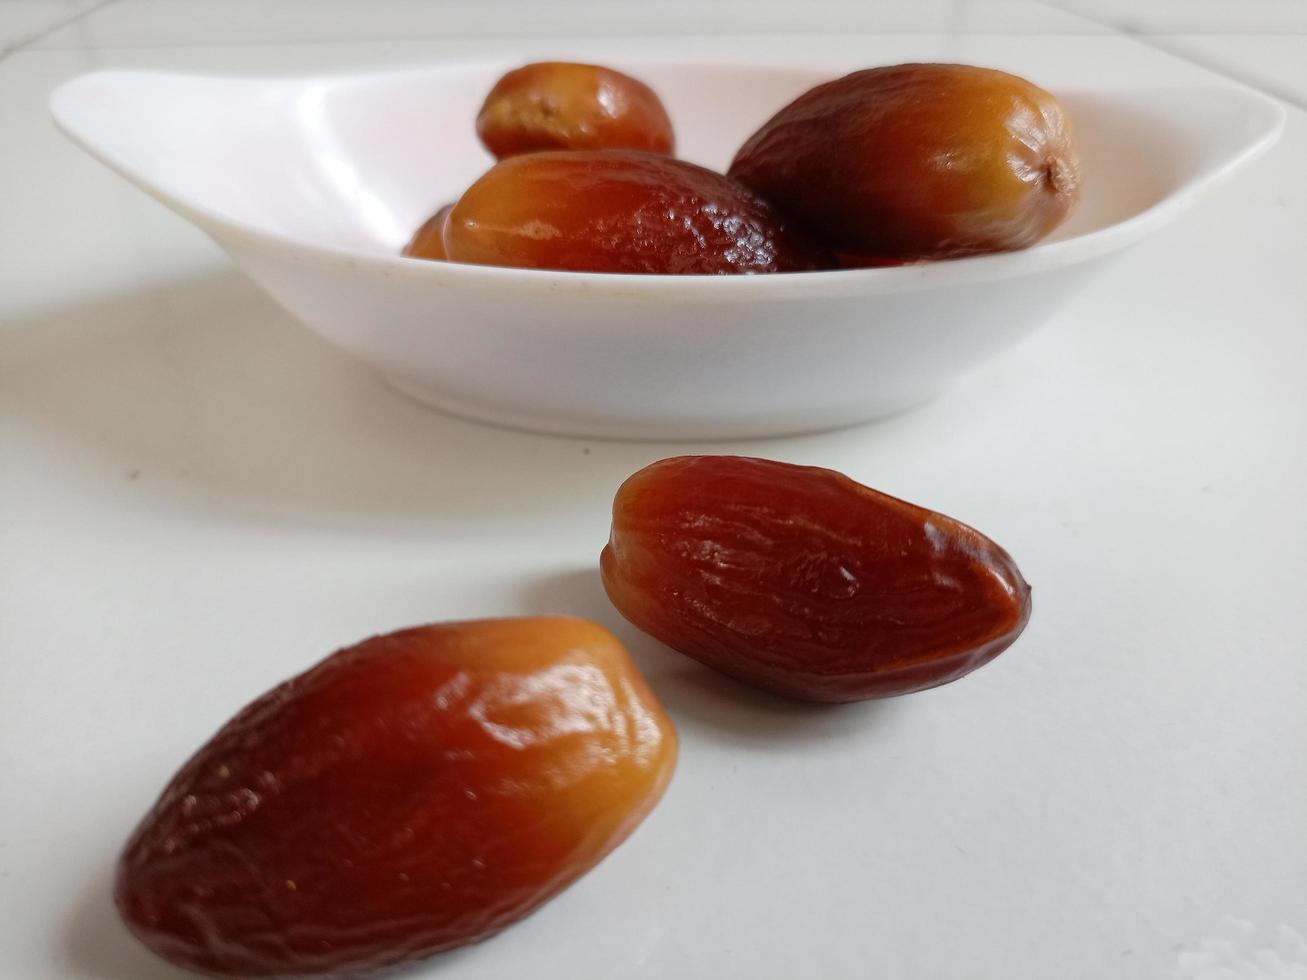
(799, 581)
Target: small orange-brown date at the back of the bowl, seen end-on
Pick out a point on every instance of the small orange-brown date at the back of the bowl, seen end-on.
(565, 106)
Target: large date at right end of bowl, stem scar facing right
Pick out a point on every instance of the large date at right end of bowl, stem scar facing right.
(918, 161)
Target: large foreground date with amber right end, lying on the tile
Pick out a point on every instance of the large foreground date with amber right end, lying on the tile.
(412, 794)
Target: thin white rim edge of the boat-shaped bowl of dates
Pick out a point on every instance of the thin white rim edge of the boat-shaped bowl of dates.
(750, 288)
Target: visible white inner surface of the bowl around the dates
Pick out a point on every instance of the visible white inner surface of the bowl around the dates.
(360, 161)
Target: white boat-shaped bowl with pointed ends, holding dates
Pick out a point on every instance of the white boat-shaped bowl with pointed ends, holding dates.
(314, 185)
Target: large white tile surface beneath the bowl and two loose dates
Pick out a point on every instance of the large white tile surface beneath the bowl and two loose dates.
(198, 500)
